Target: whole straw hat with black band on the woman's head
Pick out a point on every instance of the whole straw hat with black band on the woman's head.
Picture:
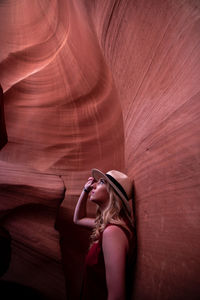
(120, 183)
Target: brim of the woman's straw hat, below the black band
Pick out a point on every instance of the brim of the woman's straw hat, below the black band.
(97, 174)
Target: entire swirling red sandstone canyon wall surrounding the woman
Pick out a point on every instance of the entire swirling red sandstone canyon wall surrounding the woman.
(106, 84)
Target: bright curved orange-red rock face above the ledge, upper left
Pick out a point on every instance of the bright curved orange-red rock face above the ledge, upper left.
(61, 86)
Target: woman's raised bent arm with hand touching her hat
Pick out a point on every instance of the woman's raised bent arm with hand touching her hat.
(80, 209)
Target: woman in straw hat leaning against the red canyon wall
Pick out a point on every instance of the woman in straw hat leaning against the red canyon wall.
(112, 246)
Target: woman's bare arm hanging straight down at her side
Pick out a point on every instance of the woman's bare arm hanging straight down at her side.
(115, 247)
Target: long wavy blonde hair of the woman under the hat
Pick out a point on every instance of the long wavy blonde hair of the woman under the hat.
(114, 214)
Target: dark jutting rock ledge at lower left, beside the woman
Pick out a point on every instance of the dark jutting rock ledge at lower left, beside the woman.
(28, 210)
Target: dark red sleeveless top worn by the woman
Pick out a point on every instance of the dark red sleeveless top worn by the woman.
(94, 279)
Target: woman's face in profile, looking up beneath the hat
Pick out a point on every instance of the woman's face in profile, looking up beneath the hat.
(99, 193)
